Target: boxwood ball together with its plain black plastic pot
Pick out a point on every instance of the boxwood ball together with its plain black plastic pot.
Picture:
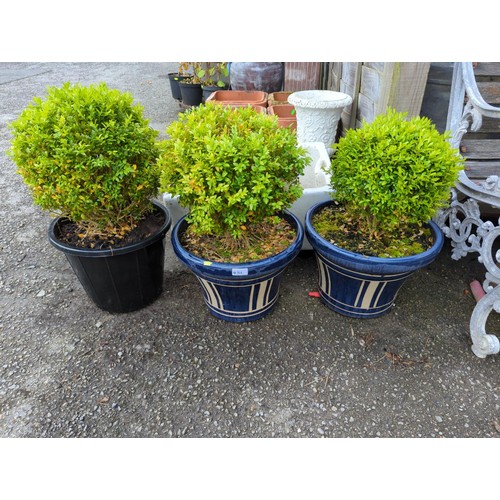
(89, 156)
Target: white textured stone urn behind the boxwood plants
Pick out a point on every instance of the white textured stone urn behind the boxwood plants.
(318, 113)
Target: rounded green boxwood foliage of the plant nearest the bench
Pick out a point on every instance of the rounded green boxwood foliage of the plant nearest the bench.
(393, 173)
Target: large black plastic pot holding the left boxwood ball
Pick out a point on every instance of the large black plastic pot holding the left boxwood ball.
(123, 279)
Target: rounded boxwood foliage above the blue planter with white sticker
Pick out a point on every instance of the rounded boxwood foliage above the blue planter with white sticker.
(230, 167)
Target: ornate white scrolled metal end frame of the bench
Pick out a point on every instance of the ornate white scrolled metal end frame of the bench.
(461, 221)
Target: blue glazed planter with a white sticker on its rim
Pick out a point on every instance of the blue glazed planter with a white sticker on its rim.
(239, 292)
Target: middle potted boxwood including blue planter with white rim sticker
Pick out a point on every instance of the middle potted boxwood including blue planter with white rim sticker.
(236, 171)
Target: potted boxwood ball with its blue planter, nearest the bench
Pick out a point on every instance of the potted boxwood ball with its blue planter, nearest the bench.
(388, 180)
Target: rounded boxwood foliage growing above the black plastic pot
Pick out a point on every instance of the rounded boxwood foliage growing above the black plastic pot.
(88, 154)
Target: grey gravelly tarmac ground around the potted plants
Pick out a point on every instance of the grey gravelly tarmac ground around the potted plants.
(68, 369)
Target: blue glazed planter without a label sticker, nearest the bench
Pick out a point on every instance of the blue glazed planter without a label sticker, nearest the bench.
(359, 286)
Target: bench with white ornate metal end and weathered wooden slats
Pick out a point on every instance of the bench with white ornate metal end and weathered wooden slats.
(473, 110)
